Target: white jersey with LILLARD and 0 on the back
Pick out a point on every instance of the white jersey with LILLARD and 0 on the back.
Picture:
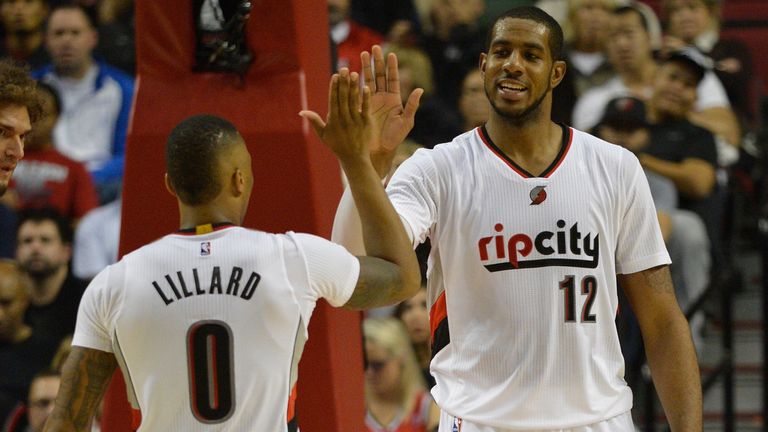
(208, 329)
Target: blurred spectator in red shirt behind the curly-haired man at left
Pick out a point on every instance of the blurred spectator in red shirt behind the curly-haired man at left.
(47, 178)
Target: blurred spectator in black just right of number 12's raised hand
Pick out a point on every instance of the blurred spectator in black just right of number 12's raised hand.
(435, 122)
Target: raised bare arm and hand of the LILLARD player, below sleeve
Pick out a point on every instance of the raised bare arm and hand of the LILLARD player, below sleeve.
(390, 273)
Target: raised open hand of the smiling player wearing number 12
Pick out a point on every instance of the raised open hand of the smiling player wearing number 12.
(392, 121)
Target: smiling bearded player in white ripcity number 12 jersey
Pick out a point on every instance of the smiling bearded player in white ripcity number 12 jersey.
(531, 223)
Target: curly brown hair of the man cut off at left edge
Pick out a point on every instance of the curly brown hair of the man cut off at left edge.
(18, 88)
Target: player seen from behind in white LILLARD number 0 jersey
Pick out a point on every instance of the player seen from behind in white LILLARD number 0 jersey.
(208, 324)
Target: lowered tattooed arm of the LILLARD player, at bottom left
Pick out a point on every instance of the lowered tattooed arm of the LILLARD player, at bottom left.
(85, 376)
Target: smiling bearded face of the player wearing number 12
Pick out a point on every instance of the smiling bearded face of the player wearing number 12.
(518, 71)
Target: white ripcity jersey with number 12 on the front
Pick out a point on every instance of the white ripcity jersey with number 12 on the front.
(522, 276)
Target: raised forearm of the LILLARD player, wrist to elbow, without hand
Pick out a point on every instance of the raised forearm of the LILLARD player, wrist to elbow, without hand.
(382, 230)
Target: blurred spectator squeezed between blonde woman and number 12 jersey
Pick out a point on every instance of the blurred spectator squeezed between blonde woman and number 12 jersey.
(415, 317)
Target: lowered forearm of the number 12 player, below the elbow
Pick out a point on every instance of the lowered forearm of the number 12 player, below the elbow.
(675, 372)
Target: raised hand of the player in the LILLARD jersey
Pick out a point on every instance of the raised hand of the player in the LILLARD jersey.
(347, 130)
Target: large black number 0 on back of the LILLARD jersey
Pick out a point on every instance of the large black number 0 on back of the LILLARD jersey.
(211, 371)
